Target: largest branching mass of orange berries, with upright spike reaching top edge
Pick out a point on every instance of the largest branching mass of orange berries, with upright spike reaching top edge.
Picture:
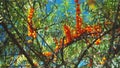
(79, 32)
